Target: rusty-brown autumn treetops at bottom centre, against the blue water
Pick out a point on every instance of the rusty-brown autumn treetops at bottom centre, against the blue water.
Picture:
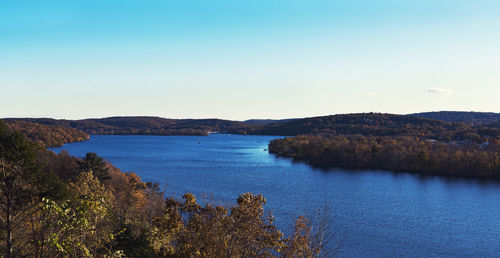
(210, 231)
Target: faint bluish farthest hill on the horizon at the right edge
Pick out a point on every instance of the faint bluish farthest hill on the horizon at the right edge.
(472, 118)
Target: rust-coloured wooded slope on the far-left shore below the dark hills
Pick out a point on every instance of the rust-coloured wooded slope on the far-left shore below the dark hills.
(48, 135)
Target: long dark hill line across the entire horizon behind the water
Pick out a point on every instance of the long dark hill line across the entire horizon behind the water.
(367, 124)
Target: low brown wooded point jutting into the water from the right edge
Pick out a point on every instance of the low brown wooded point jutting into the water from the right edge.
(408, 154)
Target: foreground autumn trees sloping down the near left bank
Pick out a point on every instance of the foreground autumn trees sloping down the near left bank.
(54, 205)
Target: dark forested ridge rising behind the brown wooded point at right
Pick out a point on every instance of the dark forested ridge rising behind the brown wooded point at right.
(376, 124)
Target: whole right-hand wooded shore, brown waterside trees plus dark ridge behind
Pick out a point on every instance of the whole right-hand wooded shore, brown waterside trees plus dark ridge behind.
(392, 142)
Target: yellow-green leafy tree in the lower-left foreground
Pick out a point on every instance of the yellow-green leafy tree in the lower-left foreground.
(79, 221)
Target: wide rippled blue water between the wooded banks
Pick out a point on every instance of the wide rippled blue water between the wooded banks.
(376, 213)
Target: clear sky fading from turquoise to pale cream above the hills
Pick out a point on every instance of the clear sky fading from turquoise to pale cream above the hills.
(247, 58)
